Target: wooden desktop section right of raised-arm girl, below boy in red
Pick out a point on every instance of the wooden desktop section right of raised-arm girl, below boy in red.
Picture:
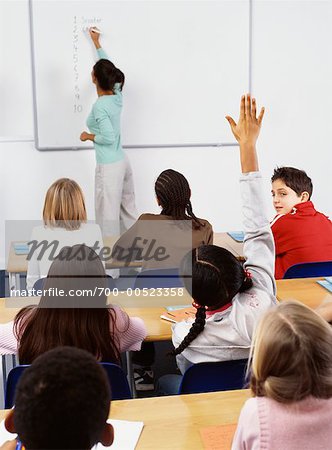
(305, 290)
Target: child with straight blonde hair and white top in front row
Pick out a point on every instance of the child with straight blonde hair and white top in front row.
(65, 224)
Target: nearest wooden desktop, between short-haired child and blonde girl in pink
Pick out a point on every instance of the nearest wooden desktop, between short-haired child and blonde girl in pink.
(174, 422)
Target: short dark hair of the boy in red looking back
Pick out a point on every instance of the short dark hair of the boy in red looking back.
(295, 179)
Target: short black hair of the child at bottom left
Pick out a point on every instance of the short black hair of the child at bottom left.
(62, 401)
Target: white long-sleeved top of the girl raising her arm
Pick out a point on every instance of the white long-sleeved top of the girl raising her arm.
(227, 335)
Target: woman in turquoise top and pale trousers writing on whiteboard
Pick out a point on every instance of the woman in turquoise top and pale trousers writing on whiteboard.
(114, 187)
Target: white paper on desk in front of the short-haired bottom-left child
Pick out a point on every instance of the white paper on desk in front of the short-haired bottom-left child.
(126, 435)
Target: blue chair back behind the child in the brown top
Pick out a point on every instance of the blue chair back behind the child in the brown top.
(154, 278)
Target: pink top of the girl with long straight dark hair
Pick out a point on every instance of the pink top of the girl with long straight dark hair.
(129, 339)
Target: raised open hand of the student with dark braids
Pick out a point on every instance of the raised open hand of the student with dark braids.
(247, 129)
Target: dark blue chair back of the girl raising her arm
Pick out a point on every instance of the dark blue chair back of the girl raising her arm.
(214, 376)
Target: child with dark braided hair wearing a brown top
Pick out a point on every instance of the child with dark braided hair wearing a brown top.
(176, 229)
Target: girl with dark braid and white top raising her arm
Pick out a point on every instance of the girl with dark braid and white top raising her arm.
(230, 298)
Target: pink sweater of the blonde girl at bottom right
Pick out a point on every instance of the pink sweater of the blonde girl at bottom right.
(265, 424)
